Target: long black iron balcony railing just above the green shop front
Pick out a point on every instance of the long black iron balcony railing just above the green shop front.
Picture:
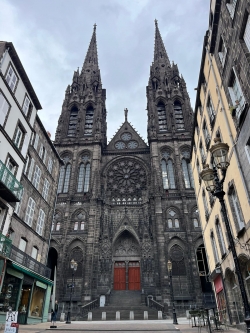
(27, 261)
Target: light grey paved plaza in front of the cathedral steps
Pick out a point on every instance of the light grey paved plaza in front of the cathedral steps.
(148, 326)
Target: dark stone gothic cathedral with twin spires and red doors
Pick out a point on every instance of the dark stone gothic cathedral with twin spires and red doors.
(124, 209)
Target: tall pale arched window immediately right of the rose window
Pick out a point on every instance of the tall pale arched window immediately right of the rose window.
(167, 169)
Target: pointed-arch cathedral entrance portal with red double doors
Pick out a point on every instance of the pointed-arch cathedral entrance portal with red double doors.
(126, 258)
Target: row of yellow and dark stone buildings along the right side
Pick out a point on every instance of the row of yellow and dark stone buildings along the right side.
(222, 110)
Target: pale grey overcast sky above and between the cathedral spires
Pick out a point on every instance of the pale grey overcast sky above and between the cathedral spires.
(52, 37)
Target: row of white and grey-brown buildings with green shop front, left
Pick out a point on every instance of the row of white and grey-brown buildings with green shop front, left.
(29, 175)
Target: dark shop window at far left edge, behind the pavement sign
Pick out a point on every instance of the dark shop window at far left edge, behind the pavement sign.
(9, 294)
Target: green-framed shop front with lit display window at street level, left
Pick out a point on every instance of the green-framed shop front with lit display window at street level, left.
(26, 292)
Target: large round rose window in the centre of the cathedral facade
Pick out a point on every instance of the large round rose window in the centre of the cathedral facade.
(126, 179)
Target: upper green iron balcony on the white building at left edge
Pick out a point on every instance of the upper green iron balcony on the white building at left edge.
(10, 188)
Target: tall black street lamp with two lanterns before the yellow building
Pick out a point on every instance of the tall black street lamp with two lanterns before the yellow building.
(213, 184)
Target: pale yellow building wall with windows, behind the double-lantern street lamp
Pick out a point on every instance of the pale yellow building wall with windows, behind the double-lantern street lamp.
(219, 256)
